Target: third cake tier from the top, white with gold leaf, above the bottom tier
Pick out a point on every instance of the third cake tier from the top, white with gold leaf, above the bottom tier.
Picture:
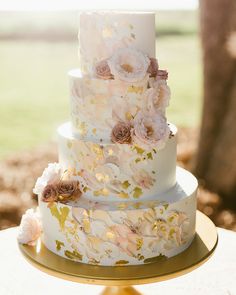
(118, 171)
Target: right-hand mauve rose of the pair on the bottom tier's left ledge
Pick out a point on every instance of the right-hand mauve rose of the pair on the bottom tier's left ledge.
(68, 190)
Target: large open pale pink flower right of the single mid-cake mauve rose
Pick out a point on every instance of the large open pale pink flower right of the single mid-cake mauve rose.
(150, 131)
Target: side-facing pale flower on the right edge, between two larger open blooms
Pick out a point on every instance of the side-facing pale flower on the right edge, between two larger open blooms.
(157, 99)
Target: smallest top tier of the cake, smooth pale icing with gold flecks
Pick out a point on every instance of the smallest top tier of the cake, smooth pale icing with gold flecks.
(101, 33)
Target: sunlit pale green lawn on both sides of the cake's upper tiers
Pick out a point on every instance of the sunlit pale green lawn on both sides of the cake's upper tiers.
(34, 87)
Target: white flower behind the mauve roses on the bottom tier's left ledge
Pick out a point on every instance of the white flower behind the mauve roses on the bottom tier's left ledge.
(51, 174)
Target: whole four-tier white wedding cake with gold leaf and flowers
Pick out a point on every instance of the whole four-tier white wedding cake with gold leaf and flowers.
(115, 197)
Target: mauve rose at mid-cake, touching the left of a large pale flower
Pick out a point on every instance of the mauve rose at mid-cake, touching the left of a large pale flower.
(121, 133)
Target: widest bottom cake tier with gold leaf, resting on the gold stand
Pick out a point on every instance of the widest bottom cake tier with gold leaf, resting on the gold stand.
(123, 233)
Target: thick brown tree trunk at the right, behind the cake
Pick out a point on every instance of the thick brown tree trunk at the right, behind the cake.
(216, 159)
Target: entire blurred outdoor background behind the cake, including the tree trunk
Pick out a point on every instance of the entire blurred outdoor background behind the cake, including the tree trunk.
(195, 42)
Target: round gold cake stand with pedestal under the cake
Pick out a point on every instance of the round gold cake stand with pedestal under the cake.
(119, 279)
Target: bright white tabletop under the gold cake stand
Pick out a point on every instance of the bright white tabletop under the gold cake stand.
(217, 276)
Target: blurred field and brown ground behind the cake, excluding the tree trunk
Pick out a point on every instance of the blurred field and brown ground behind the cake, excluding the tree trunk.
(36, 51)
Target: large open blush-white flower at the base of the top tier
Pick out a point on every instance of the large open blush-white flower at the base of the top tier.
(129, 64)
